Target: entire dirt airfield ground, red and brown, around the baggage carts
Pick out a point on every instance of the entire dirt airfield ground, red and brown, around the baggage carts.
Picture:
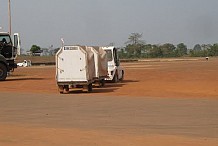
(165, 102)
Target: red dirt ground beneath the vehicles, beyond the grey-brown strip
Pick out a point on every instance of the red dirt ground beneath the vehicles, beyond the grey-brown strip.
(192, 78)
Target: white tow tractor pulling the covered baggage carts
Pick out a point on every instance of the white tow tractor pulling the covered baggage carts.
(115, 71)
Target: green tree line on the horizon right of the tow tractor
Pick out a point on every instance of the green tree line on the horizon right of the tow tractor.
(137, 48)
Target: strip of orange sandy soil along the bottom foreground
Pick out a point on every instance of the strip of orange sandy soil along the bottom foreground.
(25, 136)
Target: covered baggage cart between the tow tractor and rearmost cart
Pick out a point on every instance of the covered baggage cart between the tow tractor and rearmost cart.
(101, 65)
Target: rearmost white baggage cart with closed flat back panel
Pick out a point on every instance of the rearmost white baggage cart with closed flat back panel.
(75, 68)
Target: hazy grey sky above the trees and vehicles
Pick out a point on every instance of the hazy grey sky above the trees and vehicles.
(102, 22)
